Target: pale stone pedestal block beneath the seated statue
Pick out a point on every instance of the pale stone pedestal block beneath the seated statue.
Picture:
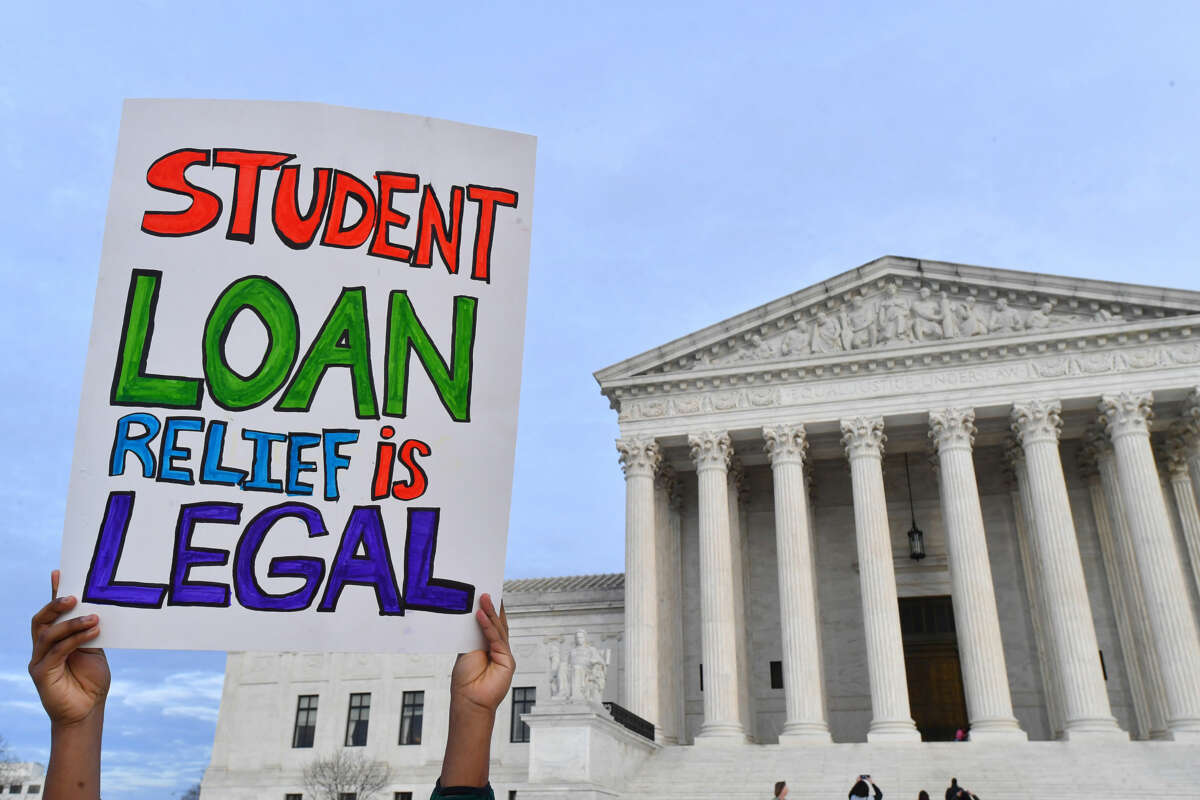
(577, 751)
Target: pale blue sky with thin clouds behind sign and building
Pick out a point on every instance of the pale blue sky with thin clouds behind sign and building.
(694, 161)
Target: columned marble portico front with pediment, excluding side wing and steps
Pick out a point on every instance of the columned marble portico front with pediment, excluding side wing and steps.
(1040, 405)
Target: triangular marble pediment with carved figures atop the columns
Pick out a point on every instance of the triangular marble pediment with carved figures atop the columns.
(903, 304)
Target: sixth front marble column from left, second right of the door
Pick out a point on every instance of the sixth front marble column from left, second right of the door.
(1085, 700)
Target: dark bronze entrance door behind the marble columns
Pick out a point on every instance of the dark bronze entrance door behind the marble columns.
(932, 660)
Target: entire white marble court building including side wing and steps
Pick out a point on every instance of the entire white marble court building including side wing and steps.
(916, 498)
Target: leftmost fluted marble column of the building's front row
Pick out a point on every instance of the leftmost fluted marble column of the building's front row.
(640, 460)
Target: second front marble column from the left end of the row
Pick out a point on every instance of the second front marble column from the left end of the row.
(712, 452)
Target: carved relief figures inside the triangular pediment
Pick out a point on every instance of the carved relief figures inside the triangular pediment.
(887, 316)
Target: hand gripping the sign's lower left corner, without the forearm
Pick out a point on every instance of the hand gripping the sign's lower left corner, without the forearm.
(73, 681)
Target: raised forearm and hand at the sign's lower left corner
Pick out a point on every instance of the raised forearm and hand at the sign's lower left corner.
(73, 682)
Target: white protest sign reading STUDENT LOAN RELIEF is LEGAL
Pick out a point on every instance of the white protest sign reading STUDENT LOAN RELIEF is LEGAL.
(299, 407)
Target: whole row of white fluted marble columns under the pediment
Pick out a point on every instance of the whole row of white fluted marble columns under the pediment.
(1141, 549)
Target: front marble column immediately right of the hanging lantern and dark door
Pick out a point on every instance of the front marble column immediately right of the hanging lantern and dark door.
(976, 621)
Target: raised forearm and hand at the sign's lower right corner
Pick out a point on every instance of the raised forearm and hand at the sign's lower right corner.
(479, 684)
